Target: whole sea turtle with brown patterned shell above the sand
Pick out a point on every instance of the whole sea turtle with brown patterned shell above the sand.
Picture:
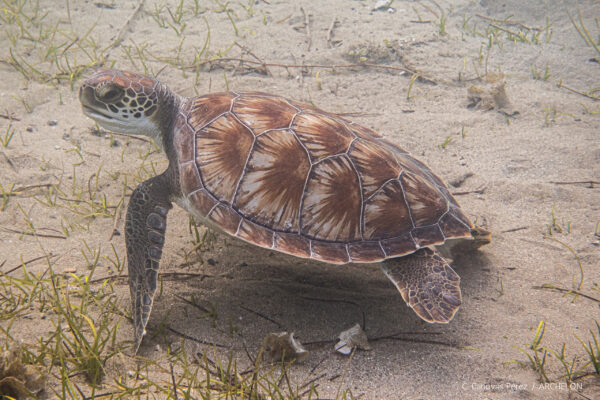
(285, 176)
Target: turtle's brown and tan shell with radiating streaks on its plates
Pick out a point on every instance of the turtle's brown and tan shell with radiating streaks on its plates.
(289, 177)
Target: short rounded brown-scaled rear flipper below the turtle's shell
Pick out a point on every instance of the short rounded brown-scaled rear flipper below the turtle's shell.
(427, 284)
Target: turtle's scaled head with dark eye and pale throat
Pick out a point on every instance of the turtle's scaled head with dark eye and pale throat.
(129, 103)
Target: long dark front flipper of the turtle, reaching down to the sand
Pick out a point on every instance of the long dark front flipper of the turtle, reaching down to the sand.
(145, 235)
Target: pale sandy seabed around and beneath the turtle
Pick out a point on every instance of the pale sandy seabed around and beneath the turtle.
(523, 163)
